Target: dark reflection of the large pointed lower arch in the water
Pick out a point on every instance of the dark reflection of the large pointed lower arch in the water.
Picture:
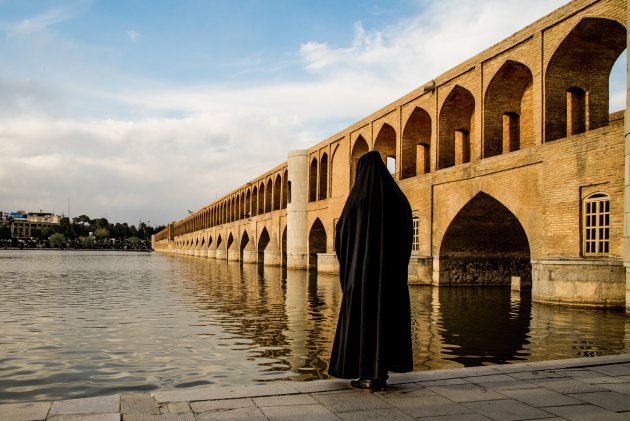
(482, 325)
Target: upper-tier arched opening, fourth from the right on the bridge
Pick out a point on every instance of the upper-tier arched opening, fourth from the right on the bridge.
(416, 145)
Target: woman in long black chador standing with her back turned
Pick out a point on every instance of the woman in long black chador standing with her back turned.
(373, 245)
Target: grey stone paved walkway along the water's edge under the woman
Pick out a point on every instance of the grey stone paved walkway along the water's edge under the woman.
(576, 389)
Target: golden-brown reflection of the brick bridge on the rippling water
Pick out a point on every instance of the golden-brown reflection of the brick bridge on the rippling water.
(284, 321)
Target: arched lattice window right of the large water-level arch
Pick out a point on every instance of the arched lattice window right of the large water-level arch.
(596, 225)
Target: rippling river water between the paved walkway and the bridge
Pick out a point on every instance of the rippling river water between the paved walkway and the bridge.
(78, 324)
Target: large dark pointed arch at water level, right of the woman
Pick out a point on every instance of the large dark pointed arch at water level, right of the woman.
(485, 244)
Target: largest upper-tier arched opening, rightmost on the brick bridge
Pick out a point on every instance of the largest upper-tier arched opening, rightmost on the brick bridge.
(583, 61)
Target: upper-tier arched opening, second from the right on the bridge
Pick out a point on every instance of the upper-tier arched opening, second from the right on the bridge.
(508, 110)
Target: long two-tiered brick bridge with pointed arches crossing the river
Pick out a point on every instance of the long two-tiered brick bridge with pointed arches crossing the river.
(512, 162)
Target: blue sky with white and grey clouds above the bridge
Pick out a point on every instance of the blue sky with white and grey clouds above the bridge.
(138, 110)
